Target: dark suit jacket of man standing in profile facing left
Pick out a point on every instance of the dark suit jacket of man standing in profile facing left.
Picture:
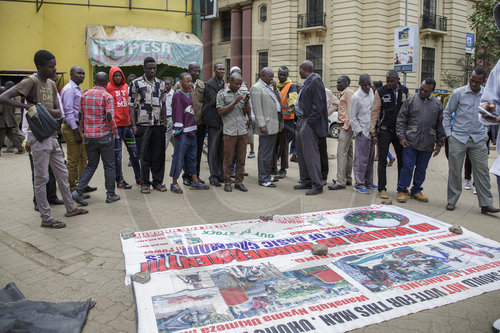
(313, 102)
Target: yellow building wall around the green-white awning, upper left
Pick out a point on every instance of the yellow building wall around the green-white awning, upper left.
(61, 29)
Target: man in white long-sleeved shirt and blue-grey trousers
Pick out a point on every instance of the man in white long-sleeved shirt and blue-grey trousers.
(359, 116)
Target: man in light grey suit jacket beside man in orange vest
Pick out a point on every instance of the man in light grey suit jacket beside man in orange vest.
(265, 105)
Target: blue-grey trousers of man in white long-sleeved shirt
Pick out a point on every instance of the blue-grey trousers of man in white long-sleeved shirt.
(363, 161)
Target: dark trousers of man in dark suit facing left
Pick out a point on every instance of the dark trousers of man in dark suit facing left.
(308, 154)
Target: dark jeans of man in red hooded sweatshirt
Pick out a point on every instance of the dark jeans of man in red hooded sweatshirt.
(126, 135)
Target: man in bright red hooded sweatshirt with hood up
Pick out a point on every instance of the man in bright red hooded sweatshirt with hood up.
(118, 88)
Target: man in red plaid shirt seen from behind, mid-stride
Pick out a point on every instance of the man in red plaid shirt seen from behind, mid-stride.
(99, 130)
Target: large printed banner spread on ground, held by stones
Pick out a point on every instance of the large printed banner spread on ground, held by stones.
(260, 276)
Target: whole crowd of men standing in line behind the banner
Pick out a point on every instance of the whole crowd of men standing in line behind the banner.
(291, 121)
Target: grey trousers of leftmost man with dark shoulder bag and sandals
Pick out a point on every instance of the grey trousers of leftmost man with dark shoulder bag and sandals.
(45, 153)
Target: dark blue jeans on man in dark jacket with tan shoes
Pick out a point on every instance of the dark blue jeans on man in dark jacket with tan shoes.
(413, 160)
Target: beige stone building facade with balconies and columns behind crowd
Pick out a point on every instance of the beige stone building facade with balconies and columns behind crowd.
(340, 37)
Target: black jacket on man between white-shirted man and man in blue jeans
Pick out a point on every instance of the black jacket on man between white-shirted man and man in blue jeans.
(390, 106)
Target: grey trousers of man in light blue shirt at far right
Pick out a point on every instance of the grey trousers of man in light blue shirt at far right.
(478, 155)
